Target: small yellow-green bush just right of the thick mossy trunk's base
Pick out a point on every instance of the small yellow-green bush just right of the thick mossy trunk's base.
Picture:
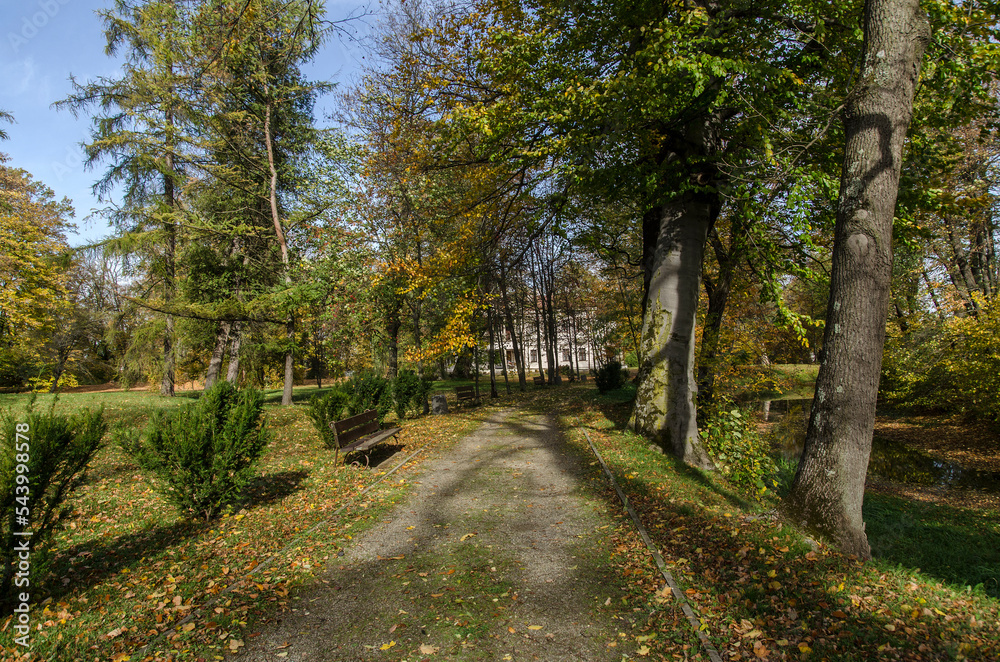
(731, 438)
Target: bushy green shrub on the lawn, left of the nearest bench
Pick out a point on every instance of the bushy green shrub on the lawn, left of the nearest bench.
(203, 454)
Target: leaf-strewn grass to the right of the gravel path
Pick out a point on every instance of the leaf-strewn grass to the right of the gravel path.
(757, 582)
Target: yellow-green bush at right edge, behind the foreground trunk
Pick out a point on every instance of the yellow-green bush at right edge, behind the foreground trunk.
(952, 366)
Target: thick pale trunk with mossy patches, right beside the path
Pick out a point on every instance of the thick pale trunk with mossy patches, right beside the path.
(675, 236)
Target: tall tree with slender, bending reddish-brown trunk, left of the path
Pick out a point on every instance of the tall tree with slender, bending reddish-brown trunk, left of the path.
(262, 124)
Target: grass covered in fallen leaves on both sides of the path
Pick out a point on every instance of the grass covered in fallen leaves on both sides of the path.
(130, 573)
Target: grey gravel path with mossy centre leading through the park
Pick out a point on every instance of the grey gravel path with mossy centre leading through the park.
(497, 554)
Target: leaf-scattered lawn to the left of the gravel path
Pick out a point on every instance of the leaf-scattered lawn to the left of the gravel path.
(125, 557)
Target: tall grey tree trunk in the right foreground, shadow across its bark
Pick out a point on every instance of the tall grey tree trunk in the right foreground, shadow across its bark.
(829, 485)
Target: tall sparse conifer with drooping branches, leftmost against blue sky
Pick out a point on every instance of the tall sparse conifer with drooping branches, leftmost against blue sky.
(142, 132)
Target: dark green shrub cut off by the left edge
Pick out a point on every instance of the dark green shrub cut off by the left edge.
(51, 452)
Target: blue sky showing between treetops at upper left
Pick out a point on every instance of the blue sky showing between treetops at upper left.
(42, 42)
